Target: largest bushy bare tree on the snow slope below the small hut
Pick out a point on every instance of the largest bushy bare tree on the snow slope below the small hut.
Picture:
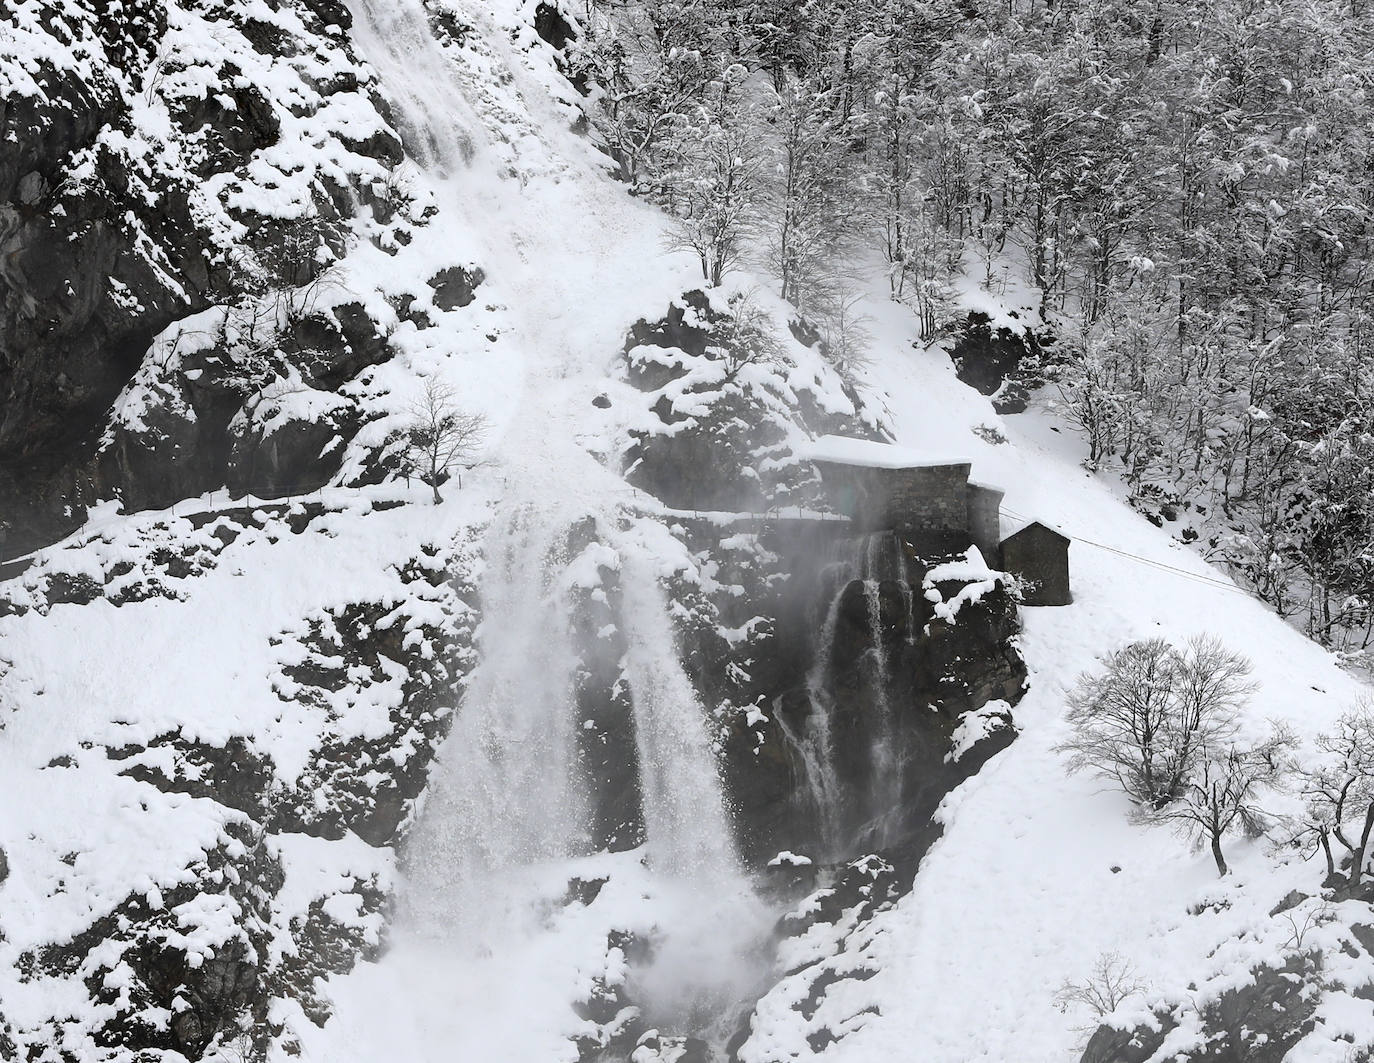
(1148, 718)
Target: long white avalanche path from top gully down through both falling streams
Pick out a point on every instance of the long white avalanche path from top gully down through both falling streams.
(476, 970)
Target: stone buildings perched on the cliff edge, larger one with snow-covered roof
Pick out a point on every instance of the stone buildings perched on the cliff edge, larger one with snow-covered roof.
(935, 506)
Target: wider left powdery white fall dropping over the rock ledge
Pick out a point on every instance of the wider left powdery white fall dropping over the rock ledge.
(506, 790)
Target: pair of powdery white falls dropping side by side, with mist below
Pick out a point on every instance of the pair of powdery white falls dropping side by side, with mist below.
(506, 818)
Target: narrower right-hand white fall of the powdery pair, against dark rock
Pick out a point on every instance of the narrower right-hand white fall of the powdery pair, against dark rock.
(685, 816)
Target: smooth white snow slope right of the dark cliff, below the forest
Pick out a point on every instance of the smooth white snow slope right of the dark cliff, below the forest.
(1039, 874)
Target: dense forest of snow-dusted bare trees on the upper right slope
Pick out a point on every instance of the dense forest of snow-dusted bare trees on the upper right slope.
(1182, 190)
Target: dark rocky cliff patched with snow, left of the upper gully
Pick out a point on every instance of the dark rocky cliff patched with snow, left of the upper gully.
(179, 185)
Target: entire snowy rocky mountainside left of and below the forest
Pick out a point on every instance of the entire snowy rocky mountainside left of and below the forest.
(623, 751)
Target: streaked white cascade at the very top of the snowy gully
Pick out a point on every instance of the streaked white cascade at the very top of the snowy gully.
(396, 39)
